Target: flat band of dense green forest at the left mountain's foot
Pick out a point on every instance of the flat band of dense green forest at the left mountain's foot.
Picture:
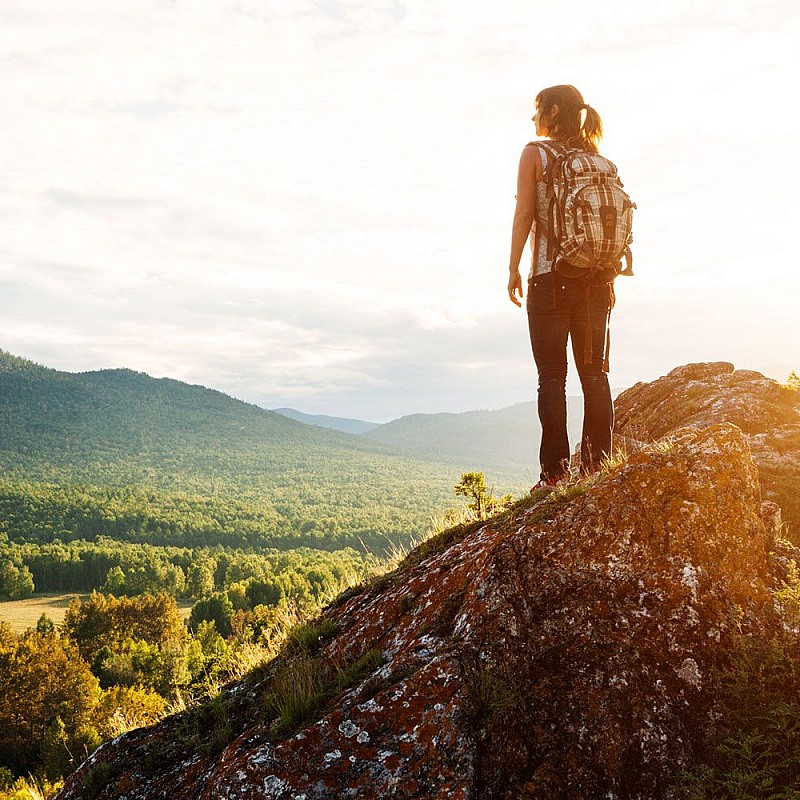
(44, 512)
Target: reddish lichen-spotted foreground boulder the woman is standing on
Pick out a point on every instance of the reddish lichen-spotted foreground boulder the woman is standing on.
(565, 649)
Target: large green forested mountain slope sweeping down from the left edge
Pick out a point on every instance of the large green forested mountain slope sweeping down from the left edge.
(227, 472)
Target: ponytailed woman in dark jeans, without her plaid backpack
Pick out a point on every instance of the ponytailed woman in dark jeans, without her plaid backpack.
(561, 307)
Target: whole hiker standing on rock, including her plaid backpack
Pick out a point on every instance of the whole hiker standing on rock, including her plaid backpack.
(571, 206)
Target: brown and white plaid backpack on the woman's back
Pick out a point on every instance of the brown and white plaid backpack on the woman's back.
(591, 215)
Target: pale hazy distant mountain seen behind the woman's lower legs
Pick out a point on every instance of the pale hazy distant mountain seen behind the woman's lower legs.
(503, 442)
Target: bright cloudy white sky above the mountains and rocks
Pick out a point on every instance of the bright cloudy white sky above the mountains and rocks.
(309, 203)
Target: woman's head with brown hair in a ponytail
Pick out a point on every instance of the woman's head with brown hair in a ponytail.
(561, 114)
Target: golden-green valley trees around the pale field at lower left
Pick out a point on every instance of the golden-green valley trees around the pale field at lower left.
(124, 657)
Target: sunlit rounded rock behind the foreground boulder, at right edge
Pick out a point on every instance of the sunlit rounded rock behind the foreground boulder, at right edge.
(767, 412)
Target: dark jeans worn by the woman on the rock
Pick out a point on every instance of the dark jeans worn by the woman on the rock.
(559, 308)
